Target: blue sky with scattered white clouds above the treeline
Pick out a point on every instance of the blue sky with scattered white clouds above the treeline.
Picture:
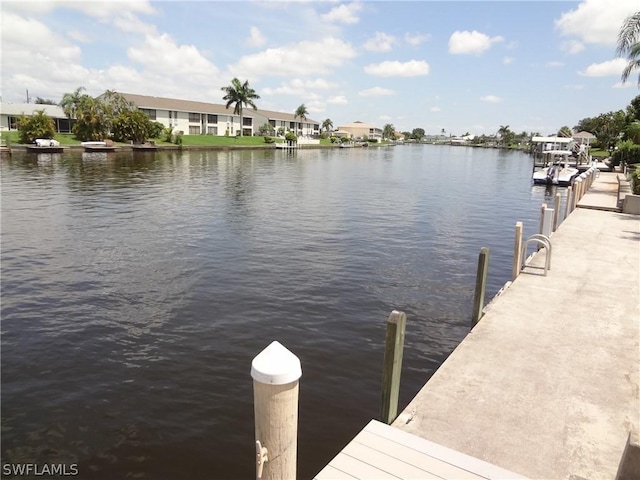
(465, 67)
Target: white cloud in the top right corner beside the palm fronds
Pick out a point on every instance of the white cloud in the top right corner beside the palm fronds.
(596, 21)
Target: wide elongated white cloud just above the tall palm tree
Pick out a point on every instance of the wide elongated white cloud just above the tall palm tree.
(297, 59)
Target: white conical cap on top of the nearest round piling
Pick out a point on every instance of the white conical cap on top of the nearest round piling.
(276, 365)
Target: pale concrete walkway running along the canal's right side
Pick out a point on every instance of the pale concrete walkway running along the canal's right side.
(546, 385)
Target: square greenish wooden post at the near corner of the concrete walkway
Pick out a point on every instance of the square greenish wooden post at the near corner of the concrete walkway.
(392, 367)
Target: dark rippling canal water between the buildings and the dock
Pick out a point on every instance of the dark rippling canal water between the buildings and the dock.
(137, 288)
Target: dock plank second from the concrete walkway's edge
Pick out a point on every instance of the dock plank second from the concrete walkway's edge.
(421, 460)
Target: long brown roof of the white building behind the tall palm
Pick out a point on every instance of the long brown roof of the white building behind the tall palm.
(162, 103)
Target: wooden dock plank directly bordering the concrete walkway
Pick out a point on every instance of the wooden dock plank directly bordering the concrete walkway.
(453, 457)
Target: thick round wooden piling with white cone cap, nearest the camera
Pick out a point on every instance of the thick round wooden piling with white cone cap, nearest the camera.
(276, 373)
